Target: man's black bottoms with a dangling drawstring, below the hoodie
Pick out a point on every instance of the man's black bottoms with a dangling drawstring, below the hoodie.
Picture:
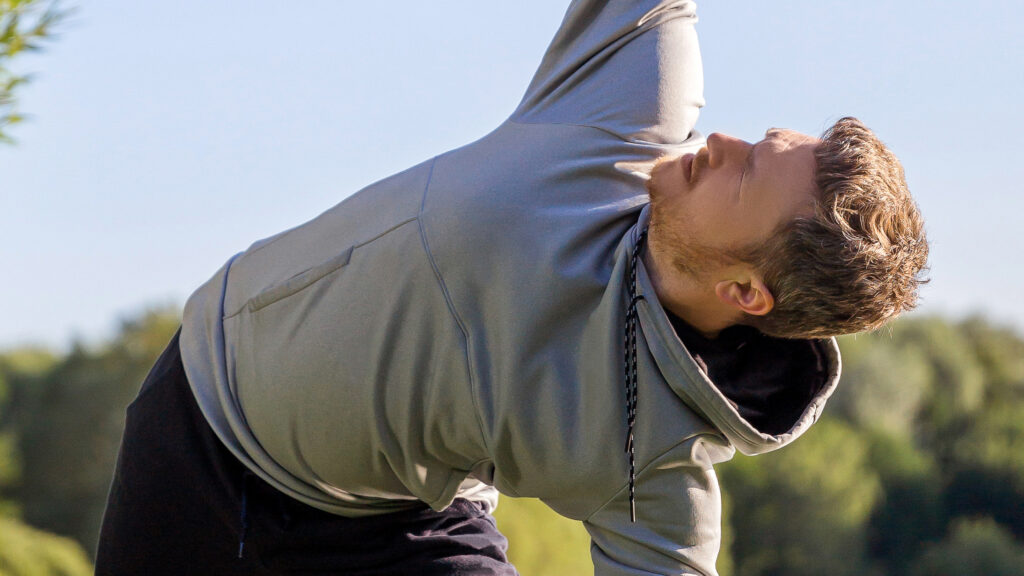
(182, 504)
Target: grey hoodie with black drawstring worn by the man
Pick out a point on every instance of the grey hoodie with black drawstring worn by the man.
(458, 328)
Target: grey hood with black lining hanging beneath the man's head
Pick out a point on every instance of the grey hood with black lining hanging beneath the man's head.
(690, 381)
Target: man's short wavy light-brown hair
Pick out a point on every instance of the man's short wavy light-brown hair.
(859, 262)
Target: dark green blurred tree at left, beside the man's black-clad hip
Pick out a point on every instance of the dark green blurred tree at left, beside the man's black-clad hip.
(70, 420)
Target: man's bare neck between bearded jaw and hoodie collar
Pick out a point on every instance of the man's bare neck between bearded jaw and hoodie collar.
(688, 298)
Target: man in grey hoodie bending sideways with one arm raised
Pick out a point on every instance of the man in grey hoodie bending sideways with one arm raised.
(350, 396)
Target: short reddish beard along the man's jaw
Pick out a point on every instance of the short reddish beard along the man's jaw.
(669, 234)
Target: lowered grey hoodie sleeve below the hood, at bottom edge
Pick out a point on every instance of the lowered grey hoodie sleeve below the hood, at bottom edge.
(679, 518)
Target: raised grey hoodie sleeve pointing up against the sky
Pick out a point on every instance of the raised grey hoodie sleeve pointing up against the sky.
(628, 67)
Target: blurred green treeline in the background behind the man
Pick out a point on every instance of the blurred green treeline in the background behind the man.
(916, 470)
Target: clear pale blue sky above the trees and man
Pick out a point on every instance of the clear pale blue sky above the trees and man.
(166, 137)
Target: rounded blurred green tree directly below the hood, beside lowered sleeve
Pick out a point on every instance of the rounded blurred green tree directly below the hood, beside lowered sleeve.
(803, 511)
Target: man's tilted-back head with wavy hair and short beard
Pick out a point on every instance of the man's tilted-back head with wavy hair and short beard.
(798, 236)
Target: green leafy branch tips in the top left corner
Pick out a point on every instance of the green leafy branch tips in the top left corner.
(24, 25)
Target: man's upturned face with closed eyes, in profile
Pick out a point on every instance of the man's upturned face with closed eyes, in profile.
(730, 197)
